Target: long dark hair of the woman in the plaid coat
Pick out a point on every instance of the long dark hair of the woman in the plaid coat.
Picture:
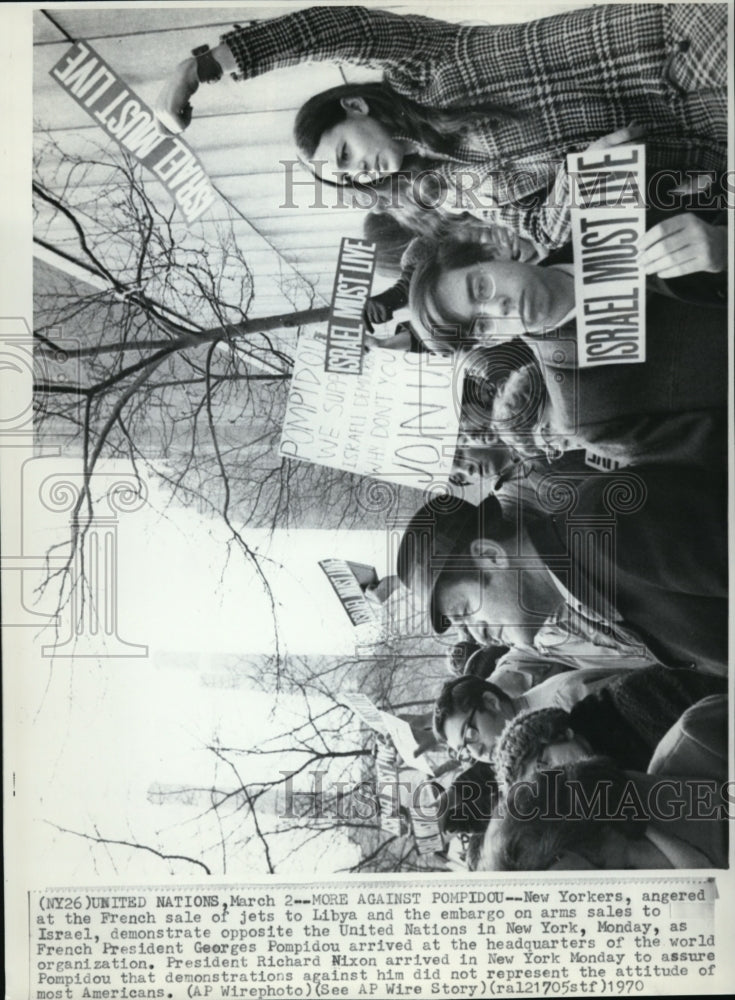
(434, 127)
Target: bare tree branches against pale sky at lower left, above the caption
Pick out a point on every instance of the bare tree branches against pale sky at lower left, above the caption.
(297, 797)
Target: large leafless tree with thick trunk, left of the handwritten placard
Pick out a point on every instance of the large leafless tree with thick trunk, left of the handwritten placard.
(147, 353)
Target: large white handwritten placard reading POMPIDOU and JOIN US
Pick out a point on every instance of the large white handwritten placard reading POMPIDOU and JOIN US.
(397, 421)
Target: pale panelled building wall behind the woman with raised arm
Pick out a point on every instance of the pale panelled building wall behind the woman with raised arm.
(240, 132)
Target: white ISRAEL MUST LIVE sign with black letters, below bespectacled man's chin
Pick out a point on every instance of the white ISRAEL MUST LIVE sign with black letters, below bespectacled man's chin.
(608, 220)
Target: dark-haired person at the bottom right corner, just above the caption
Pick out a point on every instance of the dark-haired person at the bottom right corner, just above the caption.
(592, 815)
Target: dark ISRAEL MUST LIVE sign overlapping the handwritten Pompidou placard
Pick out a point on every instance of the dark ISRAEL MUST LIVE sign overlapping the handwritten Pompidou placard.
(346, 327)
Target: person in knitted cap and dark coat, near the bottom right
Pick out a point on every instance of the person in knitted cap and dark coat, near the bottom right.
(624, 720)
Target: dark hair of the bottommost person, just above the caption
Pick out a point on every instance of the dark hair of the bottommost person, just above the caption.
(561, 825)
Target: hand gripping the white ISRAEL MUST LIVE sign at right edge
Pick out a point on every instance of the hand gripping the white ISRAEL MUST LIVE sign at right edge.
(684, 244)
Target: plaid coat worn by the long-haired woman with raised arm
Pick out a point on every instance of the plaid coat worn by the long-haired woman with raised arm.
(576, 77)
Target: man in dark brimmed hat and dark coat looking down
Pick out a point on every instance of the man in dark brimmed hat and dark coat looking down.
(659, 594)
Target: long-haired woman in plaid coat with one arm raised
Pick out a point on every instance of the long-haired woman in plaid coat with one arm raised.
(490, 111)
